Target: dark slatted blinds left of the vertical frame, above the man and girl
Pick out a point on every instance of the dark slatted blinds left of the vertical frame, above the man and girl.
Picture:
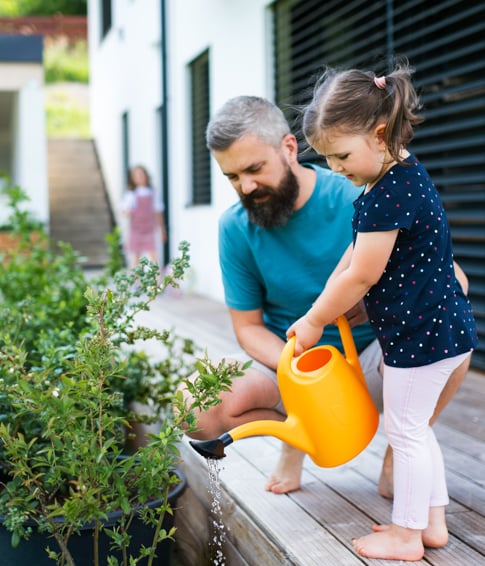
(310, 34)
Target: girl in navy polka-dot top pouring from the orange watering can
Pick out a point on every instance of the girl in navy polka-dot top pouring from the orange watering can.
(401, 264)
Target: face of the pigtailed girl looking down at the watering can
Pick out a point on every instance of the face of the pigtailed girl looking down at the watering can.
(363, 159)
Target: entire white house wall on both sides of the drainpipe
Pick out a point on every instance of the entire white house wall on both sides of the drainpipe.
(126, 76)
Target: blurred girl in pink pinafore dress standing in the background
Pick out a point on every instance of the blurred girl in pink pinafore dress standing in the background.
(145, 217)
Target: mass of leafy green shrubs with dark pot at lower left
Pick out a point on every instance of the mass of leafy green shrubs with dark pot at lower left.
(70, 366)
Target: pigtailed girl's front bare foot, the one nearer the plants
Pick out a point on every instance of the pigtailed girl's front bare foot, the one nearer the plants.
(391, 543)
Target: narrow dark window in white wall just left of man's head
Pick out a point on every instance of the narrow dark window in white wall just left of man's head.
(200, 109)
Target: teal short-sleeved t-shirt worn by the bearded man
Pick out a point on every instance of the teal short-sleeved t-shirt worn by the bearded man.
(282, 270)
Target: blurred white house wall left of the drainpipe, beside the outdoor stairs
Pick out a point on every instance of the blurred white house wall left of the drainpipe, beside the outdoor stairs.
(126, 77)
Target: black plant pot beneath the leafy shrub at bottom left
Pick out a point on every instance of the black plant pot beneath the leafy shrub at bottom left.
(32, 552)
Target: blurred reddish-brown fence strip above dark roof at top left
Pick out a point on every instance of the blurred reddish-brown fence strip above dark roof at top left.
(71, 27)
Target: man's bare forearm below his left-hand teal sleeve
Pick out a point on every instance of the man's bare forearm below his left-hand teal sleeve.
(254, 337)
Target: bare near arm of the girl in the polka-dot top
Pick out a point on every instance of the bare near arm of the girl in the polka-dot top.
(345, 288)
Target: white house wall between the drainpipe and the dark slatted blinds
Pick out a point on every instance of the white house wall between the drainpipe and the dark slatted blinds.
(235, 33)
